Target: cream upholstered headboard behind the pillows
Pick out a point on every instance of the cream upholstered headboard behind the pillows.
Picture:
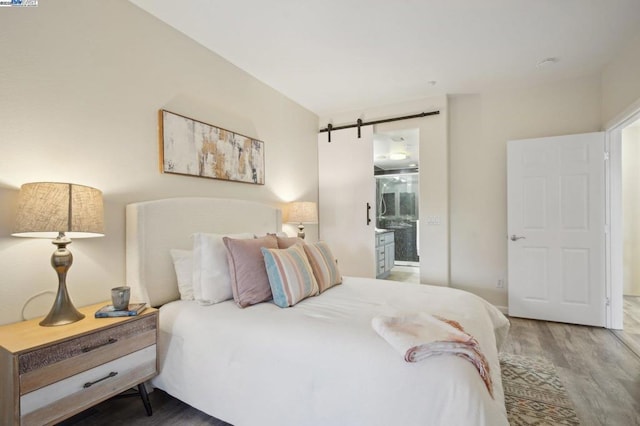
(155, 227)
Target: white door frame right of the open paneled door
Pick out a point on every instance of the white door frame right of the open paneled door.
(613, 219)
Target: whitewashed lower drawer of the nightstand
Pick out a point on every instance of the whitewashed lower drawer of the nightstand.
(87, 388)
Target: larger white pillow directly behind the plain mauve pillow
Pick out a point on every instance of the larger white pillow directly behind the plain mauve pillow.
(211, 278)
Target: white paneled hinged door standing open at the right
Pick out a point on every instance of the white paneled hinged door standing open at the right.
(556, 225)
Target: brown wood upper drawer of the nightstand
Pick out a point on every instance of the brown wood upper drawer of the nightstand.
(47, 365)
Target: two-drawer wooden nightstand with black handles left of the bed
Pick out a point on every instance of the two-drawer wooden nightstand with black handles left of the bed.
(48, 374)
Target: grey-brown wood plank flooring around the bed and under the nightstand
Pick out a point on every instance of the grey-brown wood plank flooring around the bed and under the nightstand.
(597, 366)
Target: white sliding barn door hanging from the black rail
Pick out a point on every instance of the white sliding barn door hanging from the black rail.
(346, 189)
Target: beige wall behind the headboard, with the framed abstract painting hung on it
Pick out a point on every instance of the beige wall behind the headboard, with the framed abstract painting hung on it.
(81, 83)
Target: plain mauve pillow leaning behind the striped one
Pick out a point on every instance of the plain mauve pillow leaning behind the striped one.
(249, 281)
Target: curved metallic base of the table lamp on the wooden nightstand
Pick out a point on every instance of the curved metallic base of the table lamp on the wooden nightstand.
(62, 312)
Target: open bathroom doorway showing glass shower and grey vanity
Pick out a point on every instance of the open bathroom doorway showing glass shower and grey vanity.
(397, 182)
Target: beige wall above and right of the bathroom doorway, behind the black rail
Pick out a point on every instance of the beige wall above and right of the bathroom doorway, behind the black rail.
(434, 166)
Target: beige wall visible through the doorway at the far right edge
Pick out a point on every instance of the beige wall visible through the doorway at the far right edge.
(631, 209)
